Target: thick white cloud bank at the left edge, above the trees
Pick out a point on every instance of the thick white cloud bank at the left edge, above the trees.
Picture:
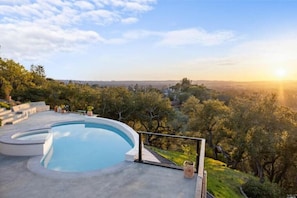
(29, 41)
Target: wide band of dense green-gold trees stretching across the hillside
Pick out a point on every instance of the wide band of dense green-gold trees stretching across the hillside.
(251, 131)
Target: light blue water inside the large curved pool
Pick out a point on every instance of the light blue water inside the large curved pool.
(85, 147)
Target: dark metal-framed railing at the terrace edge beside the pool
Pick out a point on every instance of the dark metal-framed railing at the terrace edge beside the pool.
(201, 183)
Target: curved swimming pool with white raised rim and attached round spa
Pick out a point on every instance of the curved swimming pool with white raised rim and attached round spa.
(38, 144)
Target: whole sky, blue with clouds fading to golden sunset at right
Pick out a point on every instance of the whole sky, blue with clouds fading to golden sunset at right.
(230, 40)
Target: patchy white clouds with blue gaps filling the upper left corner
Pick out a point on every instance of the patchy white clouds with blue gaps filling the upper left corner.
(37, 28)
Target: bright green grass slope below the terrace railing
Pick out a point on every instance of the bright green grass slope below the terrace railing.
(222, 181)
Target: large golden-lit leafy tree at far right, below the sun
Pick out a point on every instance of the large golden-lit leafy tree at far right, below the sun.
(261, 130)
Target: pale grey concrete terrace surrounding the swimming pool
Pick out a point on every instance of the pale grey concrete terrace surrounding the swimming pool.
(25, 177)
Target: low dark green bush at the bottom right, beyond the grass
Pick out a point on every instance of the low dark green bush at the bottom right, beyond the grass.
(254, 189)
